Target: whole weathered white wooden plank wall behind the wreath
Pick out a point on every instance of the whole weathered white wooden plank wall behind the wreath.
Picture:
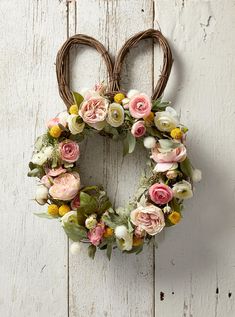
(192, 273)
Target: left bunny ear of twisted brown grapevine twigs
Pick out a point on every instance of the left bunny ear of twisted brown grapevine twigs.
(62, 65)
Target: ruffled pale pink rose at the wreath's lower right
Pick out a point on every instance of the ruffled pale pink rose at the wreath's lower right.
(149, 218)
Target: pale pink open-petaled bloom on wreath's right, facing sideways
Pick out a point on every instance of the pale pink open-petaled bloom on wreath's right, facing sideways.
(168, 159)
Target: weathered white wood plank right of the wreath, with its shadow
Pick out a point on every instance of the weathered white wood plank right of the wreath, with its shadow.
(195, 261)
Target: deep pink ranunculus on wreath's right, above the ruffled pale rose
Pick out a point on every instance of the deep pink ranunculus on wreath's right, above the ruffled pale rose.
(160, 194)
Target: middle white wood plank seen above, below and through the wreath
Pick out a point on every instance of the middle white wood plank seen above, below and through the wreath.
(123, 287)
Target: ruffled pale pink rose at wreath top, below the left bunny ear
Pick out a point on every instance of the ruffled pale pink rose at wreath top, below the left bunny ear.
(94, 110)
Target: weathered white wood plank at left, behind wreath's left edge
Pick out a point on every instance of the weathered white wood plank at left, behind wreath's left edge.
(33, 254)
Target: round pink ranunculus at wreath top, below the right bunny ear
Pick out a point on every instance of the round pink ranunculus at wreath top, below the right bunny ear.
(140, 106)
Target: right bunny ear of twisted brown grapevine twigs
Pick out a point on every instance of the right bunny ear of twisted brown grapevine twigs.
(167, 59)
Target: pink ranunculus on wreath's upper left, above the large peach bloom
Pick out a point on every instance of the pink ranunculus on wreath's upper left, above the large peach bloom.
(69, 151)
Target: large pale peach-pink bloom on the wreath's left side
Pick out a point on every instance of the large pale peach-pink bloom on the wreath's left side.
(66, 186)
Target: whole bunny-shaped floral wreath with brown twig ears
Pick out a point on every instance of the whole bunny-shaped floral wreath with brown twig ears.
(85, 212)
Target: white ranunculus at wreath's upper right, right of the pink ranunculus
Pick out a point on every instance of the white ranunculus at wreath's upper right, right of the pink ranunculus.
(166, 120)
